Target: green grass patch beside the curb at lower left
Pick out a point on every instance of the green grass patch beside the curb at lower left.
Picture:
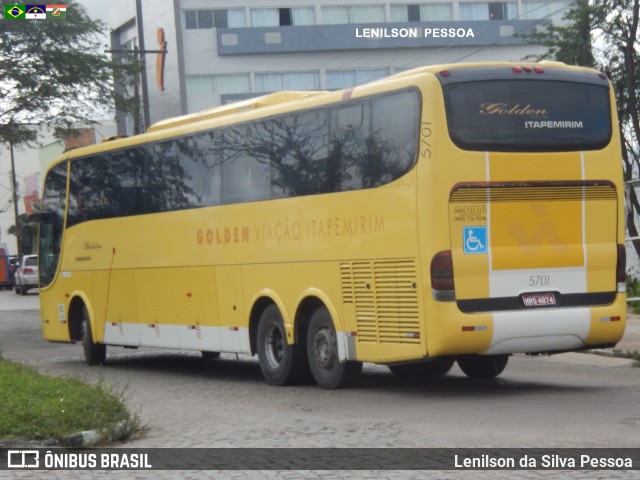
(38, 407)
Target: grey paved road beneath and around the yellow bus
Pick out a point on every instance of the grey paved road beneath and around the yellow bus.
(569, 400)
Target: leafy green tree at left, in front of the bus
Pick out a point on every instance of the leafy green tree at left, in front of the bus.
(55, 73)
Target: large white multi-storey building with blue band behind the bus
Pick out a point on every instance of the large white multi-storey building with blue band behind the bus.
(219, 51)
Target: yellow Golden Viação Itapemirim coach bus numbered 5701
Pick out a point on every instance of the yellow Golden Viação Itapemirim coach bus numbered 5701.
(456, 213)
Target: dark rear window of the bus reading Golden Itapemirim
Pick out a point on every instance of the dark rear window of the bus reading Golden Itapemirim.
(528, 115)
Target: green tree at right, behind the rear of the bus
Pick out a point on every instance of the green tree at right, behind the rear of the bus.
(604, 34)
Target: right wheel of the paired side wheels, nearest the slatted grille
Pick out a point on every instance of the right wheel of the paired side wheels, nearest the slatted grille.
(322, 352)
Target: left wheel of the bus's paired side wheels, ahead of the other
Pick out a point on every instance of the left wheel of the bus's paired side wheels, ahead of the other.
(281, 363)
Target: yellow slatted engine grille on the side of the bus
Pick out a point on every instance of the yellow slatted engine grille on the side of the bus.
(385, 297)
